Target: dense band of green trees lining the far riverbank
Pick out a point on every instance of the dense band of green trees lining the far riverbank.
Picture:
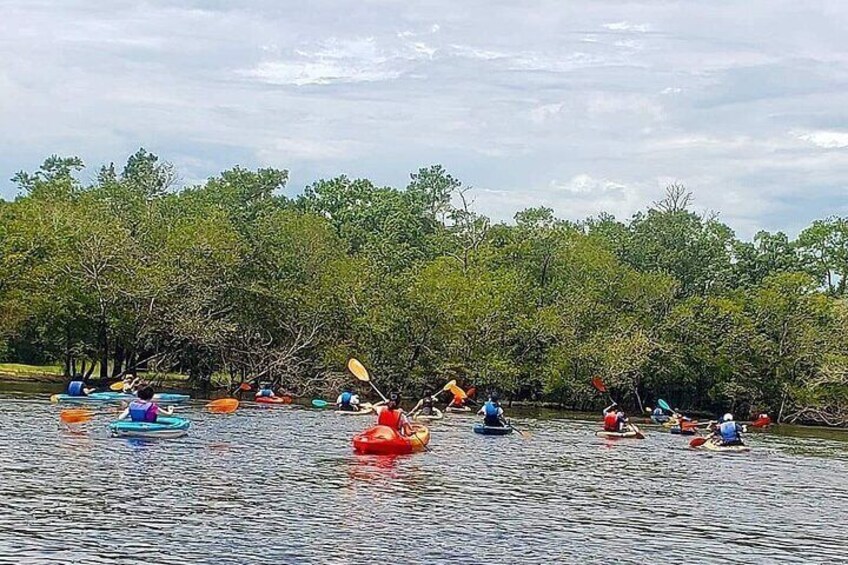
(229, 277)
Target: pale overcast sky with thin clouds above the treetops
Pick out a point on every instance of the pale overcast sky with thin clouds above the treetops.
(582, 106)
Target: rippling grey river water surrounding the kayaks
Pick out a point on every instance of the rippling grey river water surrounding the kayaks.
(282, 485)
